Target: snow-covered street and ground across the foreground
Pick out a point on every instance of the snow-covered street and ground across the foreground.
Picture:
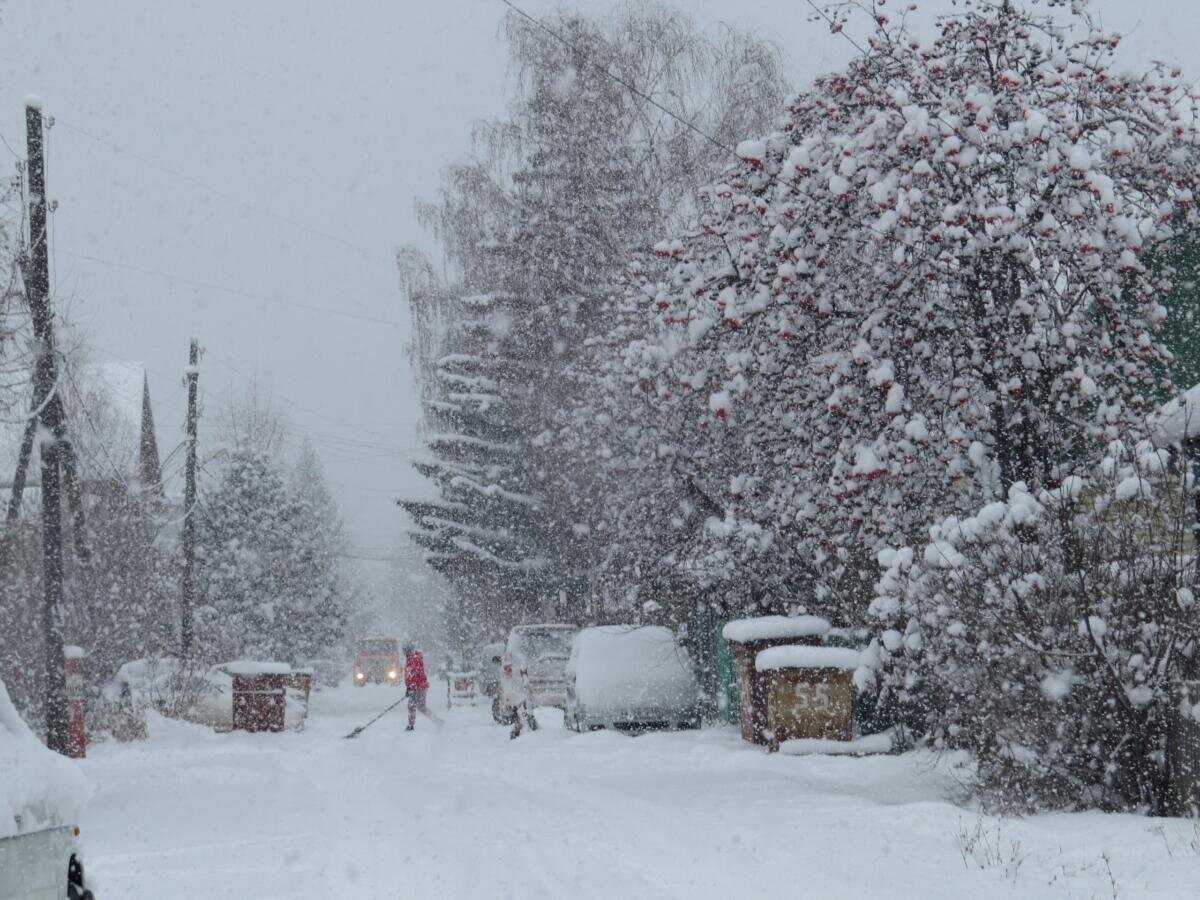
(466, 813)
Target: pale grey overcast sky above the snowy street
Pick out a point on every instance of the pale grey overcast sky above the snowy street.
(221, 165)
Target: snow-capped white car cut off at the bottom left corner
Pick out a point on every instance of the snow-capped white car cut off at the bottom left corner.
(41, 796)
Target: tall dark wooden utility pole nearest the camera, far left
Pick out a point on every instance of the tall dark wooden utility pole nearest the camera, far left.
(51, 416)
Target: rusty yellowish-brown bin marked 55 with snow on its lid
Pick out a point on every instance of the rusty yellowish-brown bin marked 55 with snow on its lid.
(809, 693)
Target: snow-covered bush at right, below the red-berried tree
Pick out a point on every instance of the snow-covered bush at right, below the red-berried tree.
(1048, 632)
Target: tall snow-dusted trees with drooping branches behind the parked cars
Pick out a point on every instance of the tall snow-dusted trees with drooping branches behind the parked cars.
(579, 179)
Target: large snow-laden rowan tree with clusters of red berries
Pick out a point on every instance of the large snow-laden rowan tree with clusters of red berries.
(926, 287)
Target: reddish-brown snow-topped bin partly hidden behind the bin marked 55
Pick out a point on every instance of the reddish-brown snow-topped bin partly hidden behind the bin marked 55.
(749, 638)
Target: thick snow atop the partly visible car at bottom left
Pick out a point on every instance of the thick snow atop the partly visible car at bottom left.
(39, 789)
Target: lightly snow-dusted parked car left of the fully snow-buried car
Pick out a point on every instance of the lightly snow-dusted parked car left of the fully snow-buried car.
(533, 670)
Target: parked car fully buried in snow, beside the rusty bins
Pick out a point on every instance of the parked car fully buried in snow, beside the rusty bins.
(632, 677)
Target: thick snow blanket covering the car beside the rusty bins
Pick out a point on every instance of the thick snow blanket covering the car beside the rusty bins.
(629, 668)
